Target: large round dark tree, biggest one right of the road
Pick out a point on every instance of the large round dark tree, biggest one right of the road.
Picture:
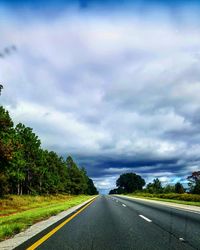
(130, 182)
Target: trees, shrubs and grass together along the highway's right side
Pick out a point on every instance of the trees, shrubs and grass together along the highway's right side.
(134, 185)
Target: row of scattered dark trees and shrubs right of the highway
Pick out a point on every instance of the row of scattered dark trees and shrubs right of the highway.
(131, 182)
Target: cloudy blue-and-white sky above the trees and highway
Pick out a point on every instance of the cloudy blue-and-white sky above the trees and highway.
(115, 84)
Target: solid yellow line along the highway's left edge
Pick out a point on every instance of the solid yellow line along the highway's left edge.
(45, 237)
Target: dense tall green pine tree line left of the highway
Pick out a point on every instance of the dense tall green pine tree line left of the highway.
(26, 168)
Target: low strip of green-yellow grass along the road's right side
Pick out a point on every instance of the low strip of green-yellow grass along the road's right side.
(186, 199)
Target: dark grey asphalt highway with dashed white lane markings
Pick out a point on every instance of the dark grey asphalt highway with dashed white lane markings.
(112, 223)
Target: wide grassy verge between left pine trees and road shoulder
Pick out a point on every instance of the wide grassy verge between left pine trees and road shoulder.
(18, 213)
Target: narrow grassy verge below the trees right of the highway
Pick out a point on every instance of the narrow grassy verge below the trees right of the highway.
(177, 199)
